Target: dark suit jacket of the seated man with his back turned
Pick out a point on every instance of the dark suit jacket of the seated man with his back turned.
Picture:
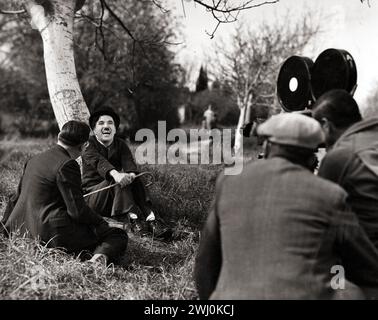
(49, 202)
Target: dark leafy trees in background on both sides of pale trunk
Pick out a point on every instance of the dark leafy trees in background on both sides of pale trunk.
(141, 81)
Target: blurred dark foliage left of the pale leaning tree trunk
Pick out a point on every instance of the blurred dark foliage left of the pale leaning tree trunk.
(23, 91)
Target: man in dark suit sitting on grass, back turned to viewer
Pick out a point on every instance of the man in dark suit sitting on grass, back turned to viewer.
(49, 202)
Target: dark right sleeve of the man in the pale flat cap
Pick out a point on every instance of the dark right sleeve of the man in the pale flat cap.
(358, 254)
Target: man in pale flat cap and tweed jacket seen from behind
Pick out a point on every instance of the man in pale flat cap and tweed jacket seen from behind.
(277, 231)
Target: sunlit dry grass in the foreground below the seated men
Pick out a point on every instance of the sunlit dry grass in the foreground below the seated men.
(31, 271)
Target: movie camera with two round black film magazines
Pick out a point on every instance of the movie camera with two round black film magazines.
(301, 81)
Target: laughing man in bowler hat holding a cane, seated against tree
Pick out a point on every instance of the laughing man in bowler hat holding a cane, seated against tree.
(108, 160)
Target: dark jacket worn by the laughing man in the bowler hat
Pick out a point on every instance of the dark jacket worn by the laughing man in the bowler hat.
(99, 160)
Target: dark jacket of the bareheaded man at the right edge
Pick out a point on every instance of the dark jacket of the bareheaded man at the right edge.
(353, 164)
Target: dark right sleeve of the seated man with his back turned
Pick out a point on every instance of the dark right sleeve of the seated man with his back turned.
(69, 184)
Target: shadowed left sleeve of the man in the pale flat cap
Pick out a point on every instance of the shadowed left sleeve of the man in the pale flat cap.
(209, 259)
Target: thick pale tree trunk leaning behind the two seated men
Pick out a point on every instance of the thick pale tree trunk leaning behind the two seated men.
(54, 20)
